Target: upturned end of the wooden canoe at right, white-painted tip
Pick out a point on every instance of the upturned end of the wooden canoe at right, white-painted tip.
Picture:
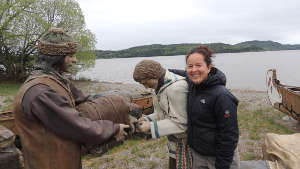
(284, 98)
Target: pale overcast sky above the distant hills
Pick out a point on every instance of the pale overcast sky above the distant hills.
(121, 24)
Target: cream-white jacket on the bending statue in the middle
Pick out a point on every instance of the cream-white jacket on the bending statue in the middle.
(170, 111)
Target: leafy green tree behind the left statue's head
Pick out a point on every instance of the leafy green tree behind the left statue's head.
(23, 22)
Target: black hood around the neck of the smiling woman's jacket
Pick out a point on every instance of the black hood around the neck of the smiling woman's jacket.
(215, 77)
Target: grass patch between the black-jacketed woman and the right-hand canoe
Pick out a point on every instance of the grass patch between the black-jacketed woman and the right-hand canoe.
(253, 125)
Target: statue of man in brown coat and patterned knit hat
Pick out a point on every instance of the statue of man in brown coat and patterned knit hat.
(50, 128)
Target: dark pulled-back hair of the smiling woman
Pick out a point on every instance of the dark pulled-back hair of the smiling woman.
(205, 51)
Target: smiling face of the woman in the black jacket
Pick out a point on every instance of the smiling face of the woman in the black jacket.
(196, 68)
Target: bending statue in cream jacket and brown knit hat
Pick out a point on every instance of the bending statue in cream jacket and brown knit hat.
(169, 117)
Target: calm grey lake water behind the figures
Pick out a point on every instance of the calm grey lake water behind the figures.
(243, 70)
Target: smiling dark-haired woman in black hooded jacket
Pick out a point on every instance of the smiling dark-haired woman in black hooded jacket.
(212, 113)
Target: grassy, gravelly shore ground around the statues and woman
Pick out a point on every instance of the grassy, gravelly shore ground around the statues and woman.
(255, 116)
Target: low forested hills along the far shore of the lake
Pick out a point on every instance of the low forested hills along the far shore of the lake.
(182, 49)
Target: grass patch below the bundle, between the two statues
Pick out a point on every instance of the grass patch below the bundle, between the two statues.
(133, 154)
